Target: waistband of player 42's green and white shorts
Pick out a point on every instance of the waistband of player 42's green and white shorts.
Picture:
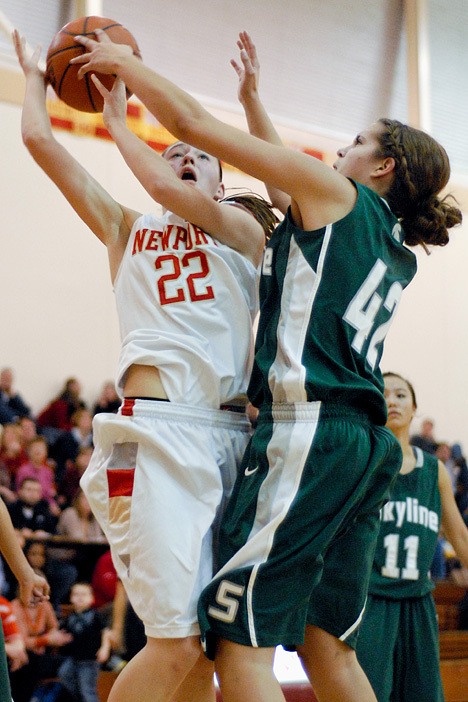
(310, 412)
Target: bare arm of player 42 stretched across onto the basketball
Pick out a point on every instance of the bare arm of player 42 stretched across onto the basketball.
(322, 195)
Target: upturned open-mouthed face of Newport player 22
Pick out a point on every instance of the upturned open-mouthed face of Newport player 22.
(195, 167)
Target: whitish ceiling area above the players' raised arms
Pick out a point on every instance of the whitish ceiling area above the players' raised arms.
(329, 67)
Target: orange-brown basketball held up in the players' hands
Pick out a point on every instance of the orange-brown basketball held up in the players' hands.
(62, 76)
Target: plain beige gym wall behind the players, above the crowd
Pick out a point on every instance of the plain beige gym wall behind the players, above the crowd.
(57, 316)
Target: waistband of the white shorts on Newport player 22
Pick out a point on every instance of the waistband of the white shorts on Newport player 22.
(228, 415)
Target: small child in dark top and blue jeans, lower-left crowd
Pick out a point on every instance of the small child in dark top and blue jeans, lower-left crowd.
(90, 646)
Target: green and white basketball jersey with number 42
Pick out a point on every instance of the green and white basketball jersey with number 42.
(327, 300)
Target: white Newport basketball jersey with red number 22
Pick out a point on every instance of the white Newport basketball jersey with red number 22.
(186, 305)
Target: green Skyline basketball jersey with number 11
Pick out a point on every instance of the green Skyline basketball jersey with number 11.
(409, 528)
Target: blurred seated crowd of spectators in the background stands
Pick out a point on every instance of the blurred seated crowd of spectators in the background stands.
(42, 459)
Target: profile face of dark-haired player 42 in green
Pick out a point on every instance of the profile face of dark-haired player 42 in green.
(358, 160)
